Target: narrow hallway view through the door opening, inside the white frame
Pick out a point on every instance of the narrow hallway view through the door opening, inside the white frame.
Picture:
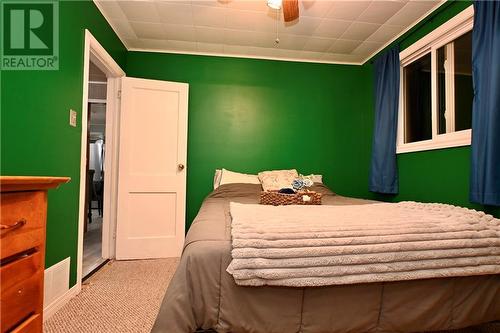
(96, 147)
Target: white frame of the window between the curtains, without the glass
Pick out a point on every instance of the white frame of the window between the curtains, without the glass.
(446, 33)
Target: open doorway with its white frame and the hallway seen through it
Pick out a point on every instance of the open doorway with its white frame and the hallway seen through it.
(99, 154)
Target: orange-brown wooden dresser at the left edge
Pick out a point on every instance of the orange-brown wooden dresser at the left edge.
(23, 213)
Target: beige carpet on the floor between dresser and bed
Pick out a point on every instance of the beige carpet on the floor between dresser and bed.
(123, 296)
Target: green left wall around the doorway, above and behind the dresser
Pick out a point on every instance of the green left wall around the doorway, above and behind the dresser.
(36, 138)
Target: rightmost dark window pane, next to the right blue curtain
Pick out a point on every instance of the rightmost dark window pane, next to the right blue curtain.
(463, 82)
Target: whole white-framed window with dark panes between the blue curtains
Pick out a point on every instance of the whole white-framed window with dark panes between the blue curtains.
(436, 88)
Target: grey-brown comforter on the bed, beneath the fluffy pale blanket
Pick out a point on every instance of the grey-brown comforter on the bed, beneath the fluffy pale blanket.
(202, 295)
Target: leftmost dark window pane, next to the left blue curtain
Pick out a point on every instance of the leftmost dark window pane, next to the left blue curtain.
(417, 92)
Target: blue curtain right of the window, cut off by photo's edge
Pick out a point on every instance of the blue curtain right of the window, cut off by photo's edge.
(485, 169)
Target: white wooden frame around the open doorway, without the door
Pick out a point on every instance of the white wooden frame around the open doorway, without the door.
(94, 51)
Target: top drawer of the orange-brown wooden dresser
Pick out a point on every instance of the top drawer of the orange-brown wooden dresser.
(23, 221)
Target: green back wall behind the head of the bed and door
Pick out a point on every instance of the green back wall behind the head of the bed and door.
(250, 115)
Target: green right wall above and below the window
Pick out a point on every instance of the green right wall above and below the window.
(436, 175)
